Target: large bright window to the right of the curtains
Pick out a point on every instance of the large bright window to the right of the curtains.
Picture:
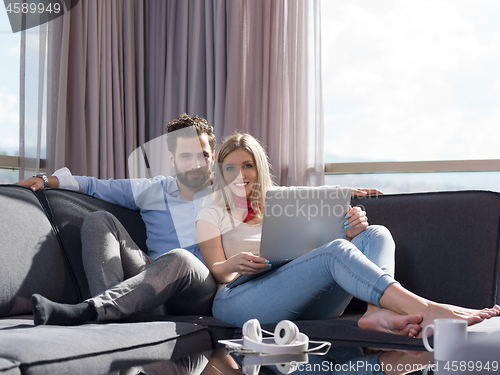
(412, 81)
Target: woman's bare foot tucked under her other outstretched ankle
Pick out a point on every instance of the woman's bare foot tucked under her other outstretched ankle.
(384, 320)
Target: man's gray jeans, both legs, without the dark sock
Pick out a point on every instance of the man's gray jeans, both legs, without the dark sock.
(124, 281)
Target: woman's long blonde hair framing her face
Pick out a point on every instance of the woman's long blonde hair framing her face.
(223, 197)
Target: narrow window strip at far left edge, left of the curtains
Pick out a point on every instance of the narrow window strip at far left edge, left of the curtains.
(9, 99)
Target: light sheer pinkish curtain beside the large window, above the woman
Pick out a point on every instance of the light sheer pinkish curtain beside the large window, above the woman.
(274, 84)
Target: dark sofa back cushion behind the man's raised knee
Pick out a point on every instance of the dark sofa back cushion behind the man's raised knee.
(68, 209)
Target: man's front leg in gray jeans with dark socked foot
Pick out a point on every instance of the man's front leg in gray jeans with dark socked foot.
(177, 279)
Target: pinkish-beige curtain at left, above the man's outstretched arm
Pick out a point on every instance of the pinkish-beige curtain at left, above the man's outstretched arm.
(96, 113)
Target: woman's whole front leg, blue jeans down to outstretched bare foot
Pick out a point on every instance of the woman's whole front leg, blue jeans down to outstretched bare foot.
(288, 291)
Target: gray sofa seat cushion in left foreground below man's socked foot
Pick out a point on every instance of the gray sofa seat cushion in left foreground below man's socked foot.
(97, 348)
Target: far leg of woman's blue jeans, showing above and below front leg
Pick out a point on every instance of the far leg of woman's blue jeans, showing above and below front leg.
(377, 245)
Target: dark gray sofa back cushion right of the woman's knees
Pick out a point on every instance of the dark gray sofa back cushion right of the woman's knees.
(447, 245)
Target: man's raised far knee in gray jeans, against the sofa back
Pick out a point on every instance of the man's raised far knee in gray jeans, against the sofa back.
(109, 254)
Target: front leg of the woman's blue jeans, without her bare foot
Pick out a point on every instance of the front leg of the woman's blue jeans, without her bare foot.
(289, 291)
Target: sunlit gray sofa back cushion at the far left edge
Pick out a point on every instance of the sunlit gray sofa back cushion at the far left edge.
(31, 256)
